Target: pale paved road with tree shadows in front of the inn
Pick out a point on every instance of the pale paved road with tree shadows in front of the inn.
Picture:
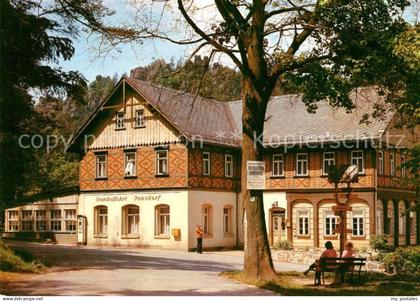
(98, 271)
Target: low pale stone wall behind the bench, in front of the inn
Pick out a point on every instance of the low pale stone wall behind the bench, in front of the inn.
(309, 255)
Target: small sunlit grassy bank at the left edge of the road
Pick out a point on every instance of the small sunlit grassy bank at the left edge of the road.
(18, 261)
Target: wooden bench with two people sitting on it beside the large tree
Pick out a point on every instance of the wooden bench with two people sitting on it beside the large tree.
(341, 266)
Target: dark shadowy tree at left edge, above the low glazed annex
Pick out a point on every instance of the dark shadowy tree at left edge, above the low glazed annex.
(34, 36)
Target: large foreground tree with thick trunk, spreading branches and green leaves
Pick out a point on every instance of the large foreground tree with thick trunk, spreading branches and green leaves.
(325, 48)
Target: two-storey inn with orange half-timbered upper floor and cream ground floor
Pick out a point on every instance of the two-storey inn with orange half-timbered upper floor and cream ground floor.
(154, 162)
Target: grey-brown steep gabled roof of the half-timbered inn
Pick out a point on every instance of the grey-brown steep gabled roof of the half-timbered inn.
(287, 120)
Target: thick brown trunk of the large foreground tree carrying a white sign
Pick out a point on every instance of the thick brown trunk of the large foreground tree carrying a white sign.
(257, 259)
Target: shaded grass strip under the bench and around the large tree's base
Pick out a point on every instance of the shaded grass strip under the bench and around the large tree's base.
(296, 284)
